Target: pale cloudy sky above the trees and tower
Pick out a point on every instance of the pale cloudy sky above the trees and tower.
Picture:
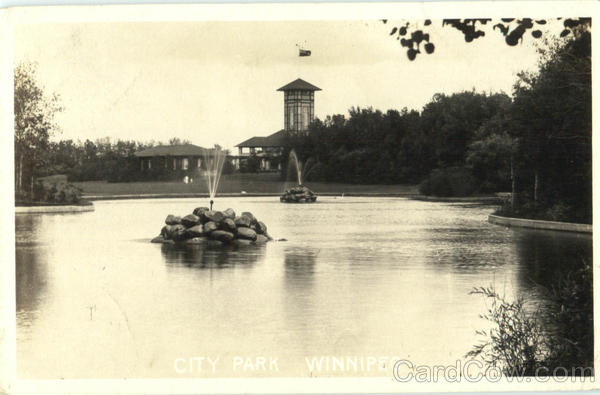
(213, 82)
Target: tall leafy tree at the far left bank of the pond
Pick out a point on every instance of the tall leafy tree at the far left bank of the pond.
(34, 123)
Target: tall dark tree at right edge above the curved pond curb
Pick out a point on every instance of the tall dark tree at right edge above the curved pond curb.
(552, 117)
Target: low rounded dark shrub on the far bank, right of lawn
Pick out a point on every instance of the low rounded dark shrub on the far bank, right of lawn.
(453, 181)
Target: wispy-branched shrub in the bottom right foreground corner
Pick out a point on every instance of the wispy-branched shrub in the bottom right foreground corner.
(559, 334)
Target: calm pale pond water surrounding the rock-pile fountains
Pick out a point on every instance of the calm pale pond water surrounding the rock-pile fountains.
(358, 277)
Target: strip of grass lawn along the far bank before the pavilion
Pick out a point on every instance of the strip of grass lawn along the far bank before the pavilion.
(234, 183)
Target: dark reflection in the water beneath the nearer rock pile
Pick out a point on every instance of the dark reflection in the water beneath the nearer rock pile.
(206, 256)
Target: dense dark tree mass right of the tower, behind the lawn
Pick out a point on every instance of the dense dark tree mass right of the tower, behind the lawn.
(397, 146)
